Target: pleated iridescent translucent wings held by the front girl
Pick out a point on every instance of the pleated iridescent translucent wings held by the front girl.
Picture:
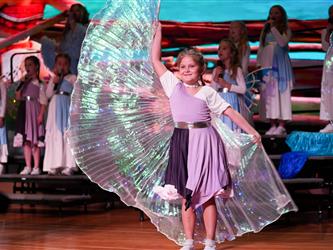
(120, 129)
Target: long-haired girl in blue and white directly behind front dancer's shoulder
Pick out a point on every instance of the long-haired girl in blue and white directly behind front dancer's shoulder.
(228, 80)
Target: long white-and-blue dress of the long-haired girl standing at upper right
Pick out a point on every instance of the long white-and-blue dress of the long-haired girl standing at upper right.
(275, 92)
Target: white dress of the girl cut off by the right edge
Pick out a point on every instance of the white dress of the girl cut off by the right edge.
(326, 100)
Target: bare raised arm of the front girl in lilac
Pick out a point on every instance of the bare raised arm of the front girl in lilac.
(159, 67)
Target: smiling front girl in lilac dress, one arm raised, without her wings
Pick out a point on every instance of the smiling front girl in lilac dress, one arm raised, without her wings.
(196, 176)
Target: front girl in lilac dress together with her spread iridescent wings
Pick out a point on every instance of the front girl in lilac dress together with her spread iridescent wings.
(197, 181)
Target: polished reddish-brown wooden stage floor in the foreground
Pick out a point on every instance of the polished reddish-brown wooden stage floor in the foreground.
(121, 229)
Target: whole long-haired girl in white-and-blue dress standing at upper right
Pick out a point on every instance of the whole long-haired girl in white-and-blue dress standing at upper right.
(275, 97)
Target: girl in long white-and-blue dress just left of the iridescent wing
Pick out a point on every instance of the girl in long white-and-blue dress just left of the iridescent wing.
(58, 158)
